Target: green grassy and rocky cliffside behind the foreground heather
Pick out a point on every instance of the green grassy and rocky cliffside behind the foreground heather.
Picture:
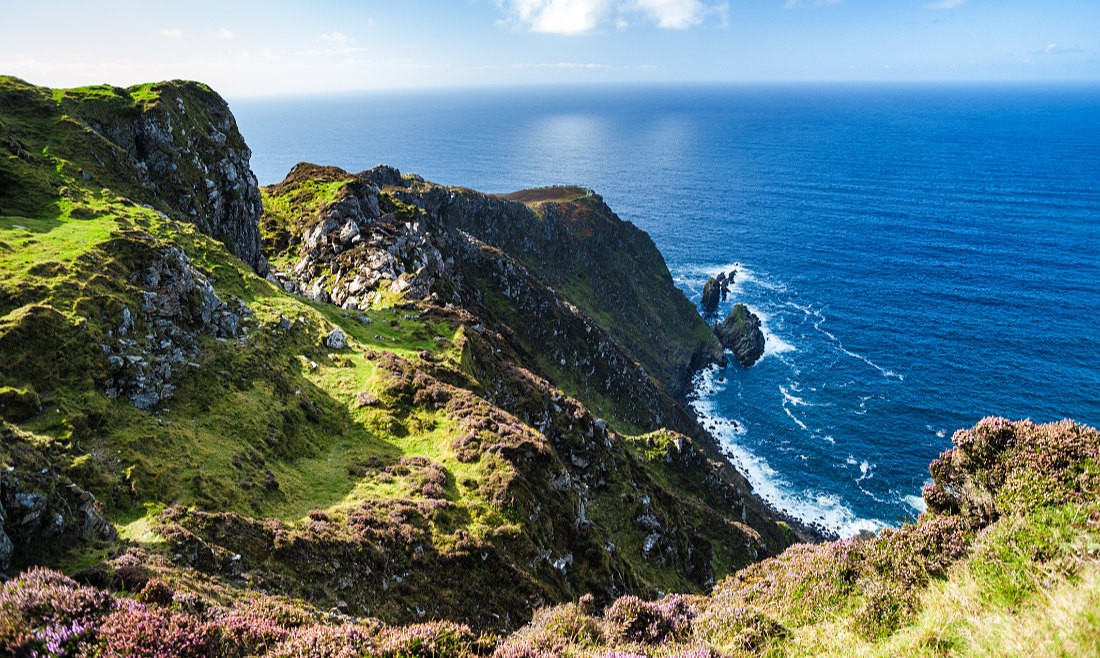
(411, 456)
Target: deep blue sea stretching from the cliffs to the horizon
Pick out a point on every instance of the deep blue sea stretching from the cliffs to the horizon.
(921, 256)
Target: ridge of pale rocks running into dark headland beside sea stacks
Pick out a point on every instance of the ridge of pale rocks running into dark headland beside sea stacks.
(567, 237)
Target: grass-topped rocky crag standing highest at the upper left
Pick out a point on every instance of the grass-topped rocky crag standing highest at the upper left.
(174, 147)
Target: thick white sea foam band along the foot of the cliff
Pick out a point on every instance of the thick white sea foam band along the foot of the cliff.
(811, 507)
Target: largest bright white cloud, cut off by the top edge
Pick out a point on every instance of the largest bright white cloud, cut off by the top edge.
(580, 17)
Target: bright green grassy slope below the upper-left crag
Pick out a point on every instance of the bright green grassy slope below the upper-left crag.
(60, 239)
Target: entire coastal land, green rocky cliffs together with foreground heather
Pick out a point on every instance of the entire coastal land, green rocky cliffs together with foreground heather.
(366, 414)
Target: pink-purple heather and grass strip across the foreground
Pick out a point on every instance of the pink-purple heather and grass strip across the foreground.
(1005, 563)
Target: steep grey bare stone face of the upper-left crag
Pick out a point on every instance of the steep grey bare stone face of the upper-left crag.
(189, 156)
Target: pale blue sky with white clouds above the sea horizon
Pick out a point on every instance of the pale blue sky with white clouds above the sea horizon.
(247, 48)
